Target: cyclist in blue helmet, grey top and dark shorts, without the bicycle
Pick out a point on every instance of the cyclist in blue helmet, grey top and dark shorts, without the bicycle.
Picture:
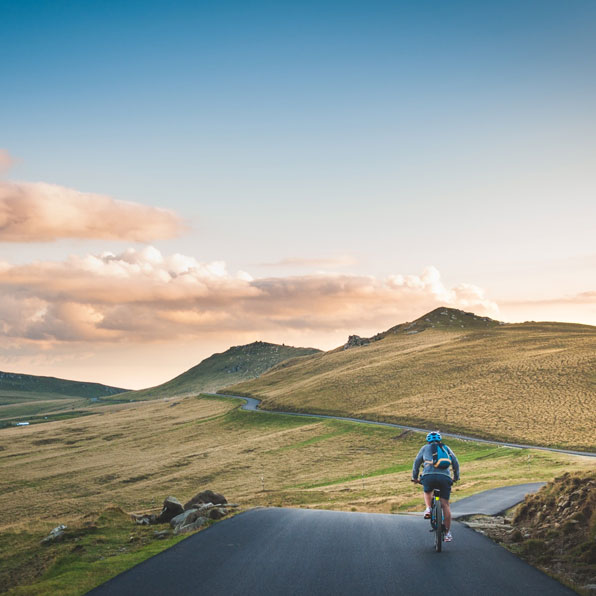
(436, 477)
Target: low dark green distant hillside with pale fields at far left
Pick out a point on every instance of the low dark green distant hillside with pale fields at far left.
(30, 397)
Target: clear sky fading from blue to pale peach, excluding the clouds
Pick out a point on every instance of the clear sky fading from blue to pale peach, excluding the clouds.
(372, 139)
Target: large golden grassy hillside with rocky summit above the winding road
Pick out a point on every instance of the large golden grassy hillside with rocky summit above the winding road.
(529, 382)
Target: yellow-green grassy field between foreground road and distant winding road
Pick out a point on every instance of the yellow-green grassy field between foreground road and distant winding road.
(134, 455)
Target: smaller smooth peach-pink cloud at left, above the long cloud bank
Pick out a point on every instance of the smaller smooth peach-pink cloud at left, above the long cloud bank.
(41, 212)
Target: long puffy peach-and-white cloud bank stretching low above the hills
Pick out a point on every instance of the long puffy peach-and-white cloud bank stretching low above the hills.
(142, 295)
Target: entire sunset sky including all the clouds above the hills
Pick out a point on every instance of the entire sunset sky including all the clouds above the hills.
(180, 177)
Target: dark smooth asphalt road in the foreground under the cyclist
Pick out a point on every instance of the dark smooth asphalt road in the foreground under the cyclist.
(300, 552)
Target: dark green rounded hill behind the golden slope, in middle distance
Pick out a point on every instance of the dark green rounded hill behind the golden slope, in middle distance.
(237, 364)
